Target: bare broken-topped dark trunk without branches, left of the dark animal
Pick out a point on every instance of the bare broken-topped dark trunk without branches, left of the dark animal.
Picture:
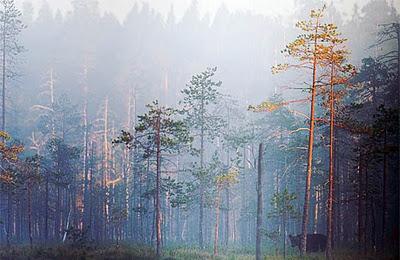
(259, 203)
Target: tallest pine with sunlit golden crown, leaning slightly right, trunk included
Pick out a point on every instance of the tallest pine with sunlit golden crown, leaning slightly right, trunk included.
(311, 51)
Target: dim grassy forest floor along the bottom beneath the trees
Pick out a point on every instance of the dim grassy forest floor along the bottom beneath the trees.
(146, 253)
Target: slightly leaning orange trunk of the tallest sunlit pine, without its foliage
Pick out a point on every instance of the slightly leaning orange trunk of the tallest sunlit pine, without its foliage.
(310, 149)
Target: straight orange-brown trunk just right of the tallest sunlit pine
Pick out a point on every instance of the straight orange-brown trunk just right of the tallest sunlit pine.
(331, 164)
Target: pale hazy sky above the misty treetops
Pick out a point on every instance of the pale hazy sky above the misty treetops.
(267, 7)
